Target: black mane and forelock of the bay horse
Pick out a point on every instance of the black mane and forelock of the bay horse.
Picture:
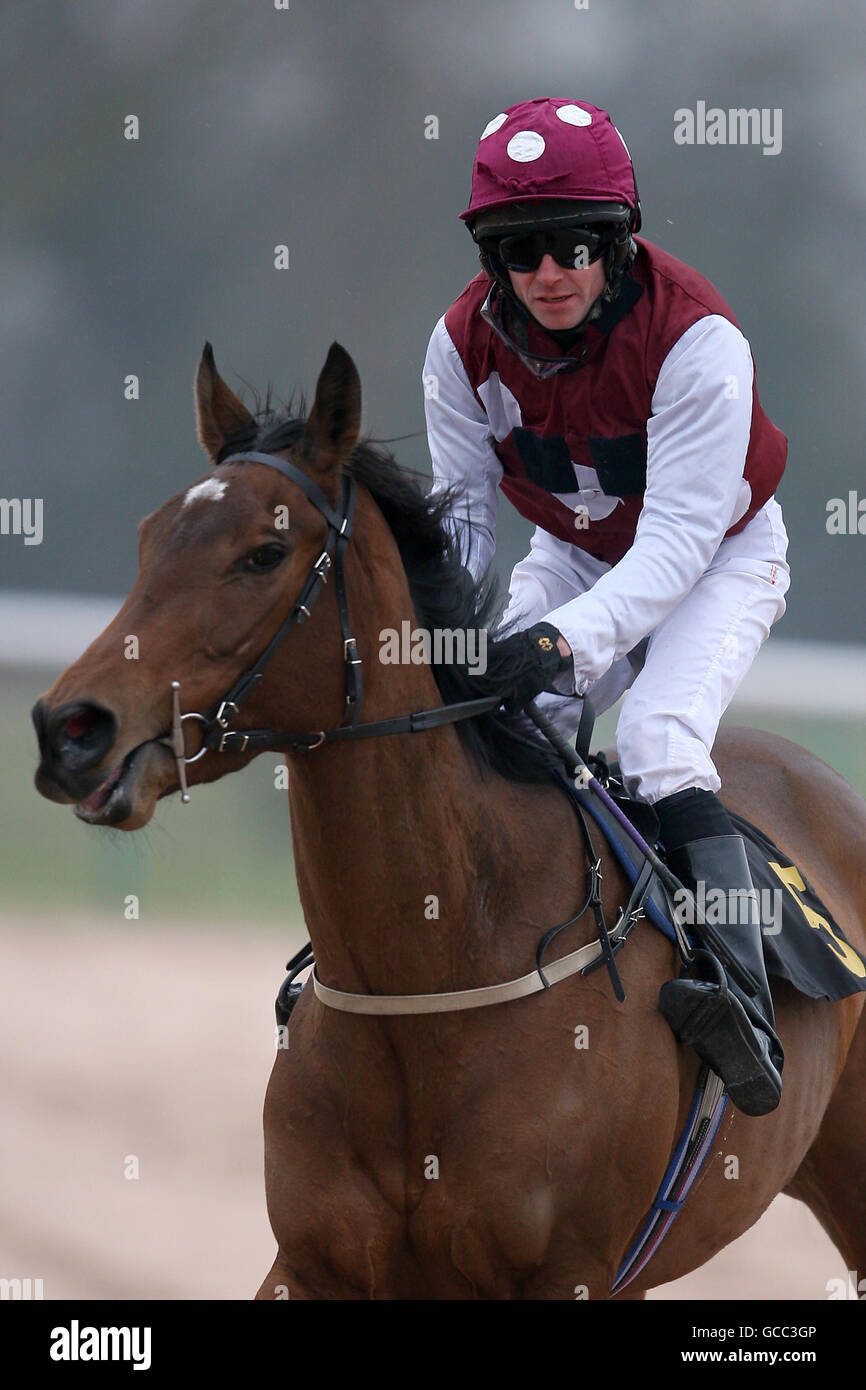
(444, 594)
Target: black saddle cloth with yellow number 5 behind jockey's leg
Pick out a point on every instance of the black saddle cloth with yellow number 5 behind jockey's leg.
(801, 940)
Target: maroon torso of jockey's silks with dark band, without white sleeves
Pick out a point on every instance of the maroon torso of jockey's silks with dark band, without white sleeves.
(596, 416)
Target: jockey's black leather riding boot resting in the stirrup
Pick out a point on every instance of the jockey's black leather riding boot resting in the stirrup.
(732, 1032)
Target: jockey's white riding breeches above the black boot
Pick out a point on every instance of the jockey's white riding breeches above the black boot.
(683, 676)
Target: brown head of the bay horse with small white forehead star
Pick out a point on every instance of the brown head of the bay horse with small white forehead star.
(220, 566)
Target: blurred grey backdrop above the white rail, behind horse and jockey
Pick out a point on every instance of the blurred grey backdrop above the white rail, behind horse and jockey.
(307, 127)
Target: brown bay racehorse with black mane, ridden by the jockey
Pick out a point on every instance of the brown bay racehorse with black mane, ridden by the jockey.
(475, 1154)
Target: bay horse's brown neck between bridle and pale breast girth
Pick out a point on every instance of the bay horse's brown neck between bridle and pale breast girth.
(404, 850)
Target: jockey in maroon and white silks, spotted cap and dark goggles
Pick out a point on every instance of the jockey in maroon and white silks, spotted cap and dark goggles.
(608, 390)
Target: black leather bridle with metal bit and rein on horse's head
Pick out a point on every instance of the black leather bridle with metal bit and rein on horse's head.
(218, 735)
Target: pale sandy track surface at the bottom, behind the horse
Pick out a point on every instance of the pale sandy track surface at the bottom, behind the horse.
(130, 1040)
